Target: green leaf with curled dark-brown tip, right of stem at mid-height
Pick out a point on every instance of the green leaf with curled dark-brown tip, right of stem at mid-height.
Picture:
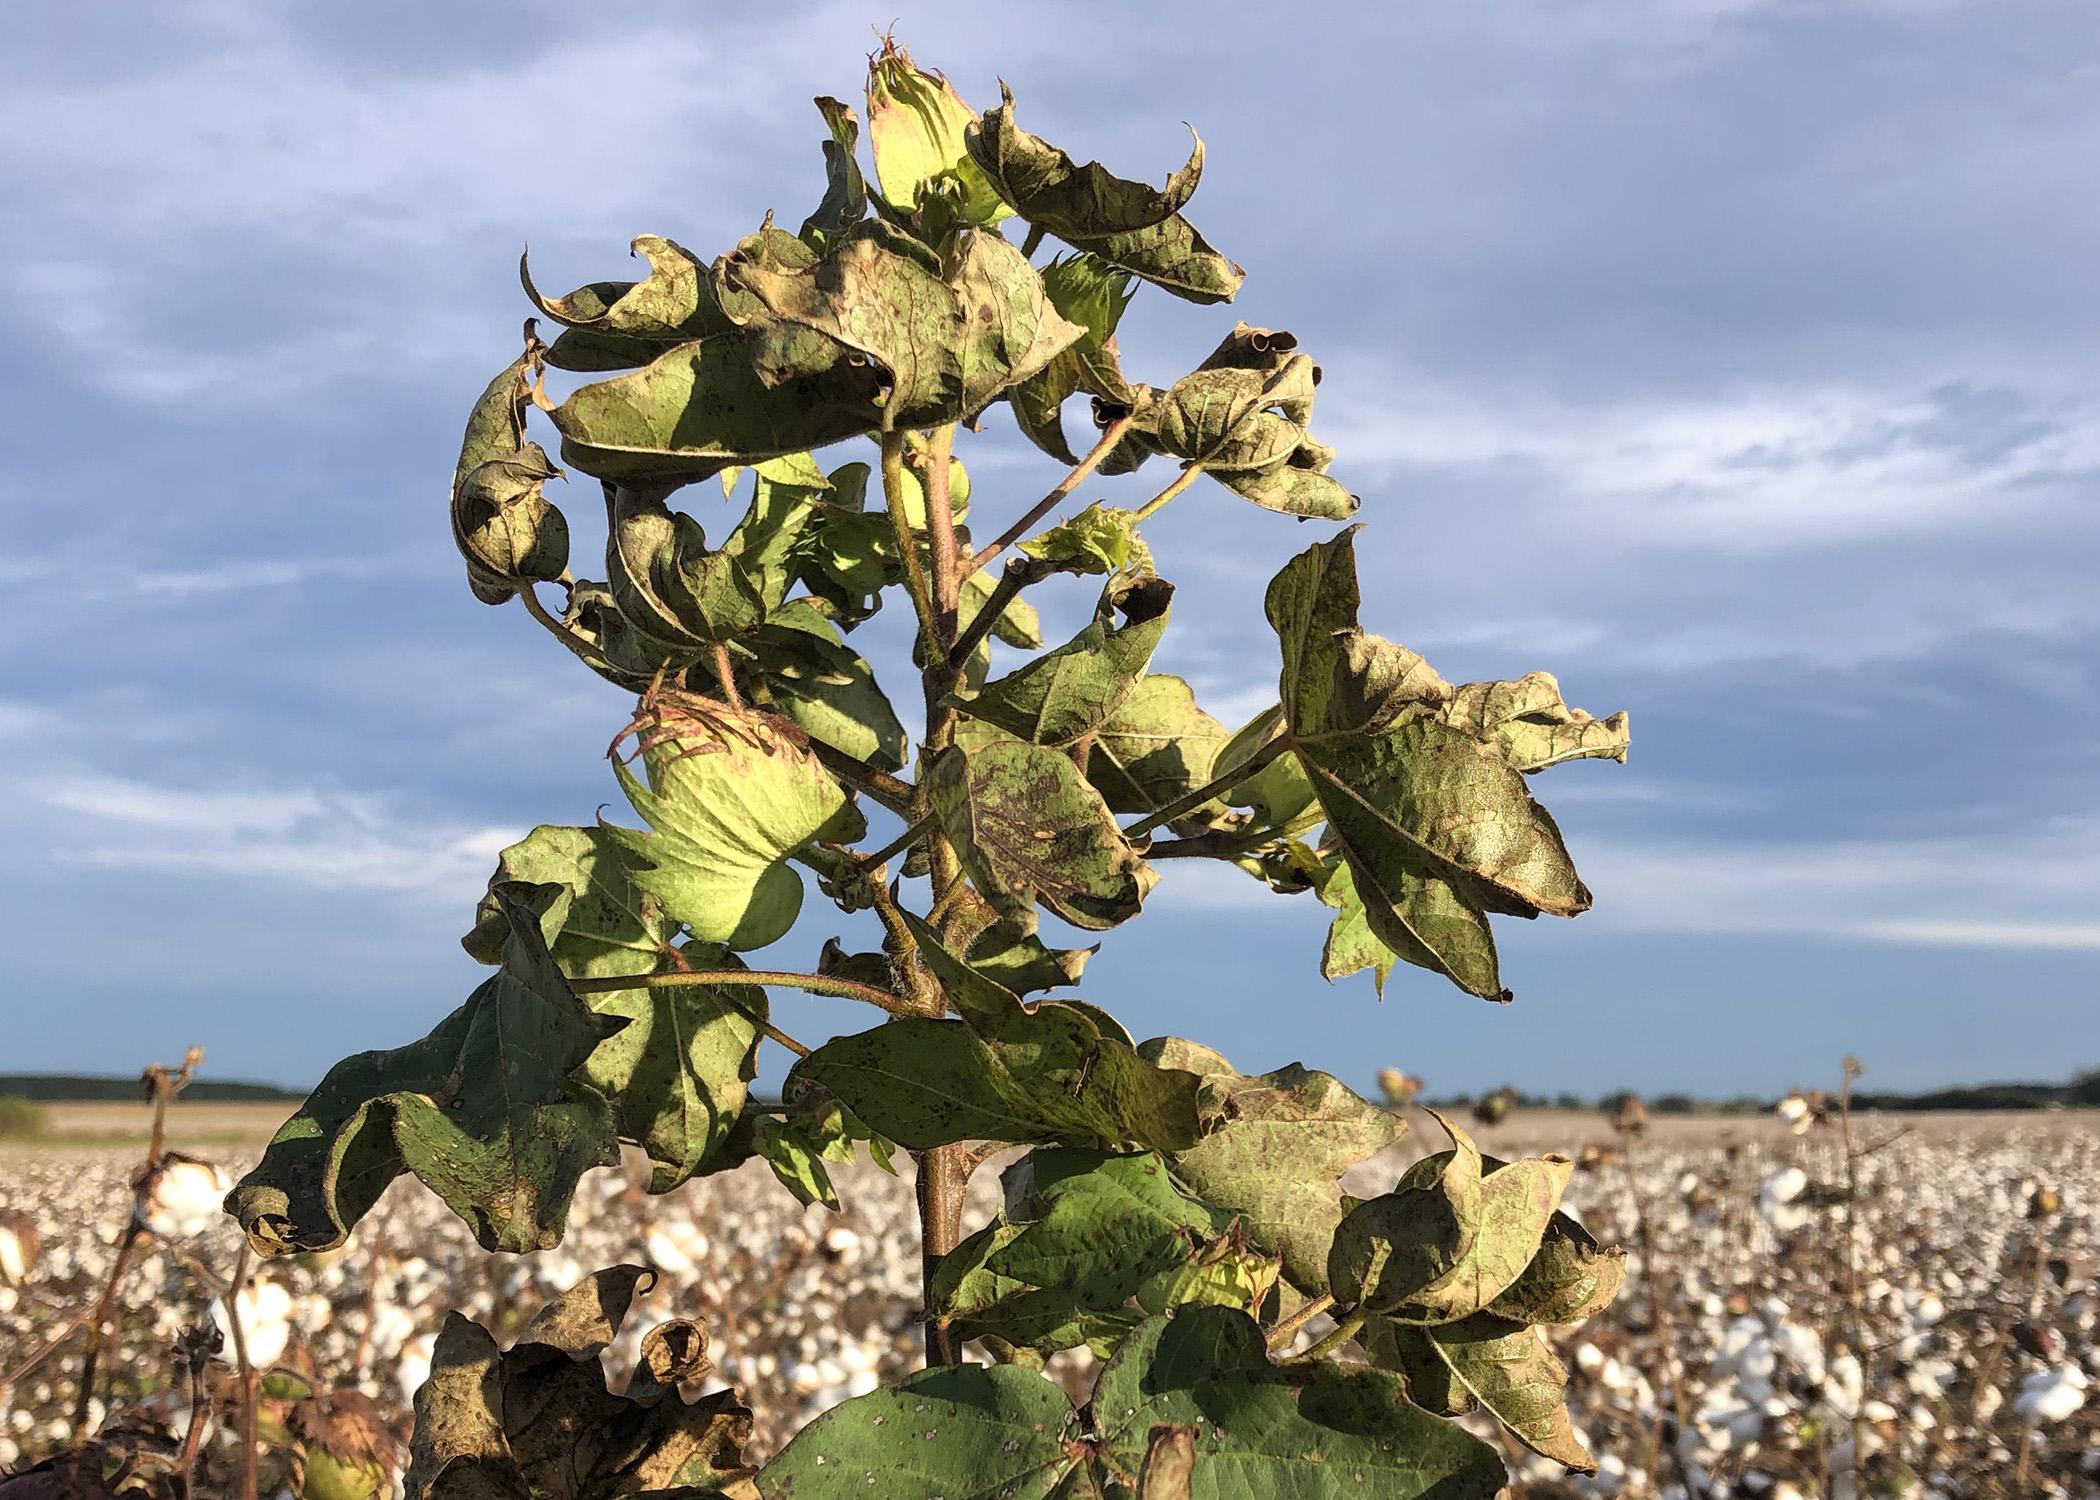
(1072, 692)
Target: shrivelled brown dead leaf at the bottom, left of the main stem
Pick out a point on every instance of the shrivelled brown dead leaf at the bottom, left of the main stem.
(539, 1421)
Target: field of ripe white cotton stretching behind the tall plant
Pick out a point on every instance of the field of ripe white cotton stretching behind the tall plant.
(1927, 1333)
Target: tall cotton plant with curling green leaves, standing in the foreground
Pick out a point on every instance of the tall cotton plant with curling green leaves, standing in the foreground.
(1181, 1220)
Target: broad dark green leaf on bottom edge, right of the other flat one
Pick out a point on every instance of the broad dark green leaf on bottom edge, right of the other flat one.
(1272, 1432)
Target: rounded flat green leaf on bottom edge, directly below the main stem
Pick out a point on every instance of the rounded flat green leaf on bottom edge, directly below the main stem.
(957, 1432)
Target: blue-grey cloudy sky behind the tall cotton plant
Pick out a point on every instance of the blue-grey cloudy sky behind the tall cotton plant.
(1729, 358)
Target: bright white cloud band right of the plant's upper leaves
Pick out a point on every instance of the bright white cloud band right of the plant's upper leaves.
(1744, 474)
